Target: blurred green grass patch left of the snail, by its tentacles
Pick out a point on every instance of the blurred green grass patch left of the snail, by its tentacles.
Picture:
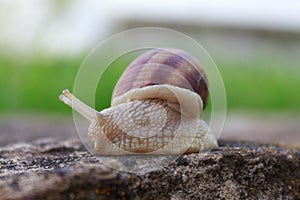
(34, 85)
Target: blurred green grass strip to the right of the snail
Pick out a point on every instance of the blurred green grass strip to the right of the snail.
(262, 85)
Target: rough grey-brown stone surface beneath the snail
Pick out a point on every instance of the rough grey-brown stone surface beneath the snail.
(65, 170)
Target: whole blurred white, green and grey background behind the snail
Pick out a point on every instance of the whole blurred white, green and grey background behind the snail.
(255, 44)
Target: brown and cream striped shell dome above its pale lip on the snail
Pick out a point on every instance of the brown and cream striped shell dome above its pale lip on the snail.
(160, 66)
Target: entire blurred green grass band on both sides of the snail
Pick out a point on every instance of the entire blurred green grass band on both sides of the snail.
(35, 84)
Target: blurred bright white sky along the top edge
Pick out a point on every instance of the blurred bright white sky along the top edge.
(71, 26)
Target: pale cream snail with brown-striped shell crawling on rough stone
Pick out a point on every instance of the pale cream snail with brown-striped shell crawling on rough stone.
(155, 108)
